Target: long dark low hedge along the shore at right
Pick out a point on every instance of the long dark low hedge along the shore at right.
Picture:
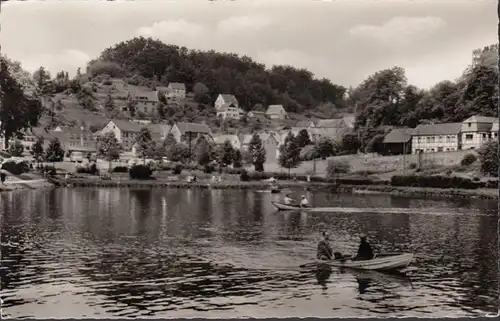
(434, 181)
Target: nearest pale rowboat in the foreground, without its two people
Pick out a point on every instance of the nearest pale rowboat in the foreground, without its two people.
(381, 262)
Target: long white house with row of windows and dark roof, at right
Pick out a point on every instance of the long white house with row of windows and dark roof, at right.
(436, 138)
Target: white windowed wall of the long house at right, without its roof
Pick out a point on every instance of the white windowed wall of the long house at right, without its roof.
(435, 143)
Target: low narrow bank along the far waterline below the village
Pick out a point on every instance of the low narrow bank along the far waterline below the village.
(484, 193)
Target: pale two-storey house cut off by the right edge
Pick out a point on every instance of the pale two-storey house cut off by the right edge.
(478, 130)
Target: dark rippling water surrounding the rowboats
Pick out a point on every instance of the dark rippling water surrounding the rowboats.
(218, 253)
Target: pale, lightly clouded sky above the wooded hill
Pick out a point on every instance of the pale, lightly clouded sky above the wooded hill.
(342, 40)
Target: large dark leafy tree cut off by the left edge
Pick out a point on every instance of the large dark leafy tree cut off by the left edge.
(18, 110)
